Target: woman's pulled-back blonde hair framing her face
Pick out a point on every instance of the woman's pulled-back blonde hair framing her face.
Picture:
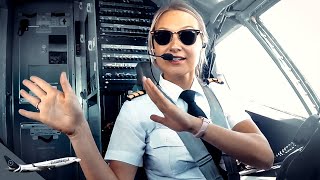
(181, 6)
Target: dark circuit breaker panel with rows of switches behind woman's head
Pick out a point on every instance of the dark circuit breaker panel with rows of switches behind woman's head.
(122, 29)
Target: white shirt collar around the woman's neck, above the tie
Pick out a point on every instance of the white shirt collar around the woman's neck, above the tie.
(173, 91)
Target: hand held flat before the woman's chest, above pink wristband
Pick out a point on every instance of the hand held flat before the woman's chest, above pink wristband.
(174, 118)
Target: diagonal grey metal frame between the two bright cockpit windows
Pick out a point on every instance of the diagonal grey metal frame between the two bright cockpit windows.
(287, 67)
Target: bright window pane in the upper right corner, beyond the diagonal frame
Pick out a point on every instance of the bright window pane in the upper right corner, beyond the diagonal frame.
(295, 26)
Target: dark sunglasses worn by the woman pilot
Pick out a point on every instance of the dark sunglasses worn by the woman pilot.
(186, 36)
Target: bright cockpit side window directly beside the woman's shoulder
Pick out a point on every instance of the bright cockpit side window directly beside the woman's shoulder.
(252, 75)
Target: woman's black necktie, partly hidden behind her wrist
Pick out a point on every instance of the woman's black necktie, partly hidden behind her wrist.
(195, 110)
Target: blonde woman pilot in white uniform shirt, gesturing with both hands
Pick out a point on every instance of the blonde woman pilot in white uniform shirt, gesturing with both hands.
(145, 132)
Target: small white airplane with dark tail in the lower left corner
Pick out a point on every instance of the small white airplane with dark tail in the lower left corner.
(40, 166)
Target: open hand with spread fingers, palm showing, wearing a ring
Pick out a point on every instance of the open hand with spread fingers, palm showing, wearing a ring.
(60, 110)
